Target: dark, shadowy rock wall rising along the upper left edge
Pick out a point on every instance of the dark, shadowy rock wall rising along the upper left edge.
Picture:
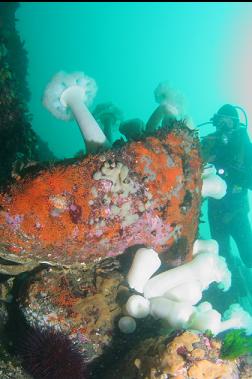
(20, 146)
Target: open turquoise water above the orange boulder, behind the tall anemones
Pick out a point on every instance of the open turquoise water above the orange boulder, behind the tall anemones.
(203, 49)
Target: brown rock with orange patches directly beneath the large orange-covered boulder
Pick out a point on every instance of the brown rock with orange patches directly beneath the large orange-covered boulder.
(80, 303)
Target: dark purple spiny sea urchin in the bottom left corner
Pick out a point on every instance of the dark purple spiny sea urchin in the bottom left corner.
(49, 354)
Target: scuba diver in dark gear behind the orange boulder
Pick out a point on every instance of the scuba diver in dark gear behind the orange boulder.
(230, 151)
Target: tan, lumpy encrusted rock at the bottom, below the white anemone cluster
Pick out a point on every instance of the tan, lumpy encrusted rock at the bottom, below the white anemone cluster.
(183, 357)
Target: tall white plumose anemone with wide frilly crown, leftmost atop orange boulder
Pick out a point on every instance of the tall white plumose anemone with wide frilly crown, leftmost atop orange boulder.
(67, 96)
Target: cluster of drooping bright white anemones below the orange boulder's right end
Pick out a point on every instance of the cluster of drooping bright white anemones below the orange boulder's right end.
(172, 295)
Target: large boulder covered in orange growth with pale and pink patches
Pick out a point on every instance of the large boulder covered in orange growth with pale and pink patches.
(146, 192)
